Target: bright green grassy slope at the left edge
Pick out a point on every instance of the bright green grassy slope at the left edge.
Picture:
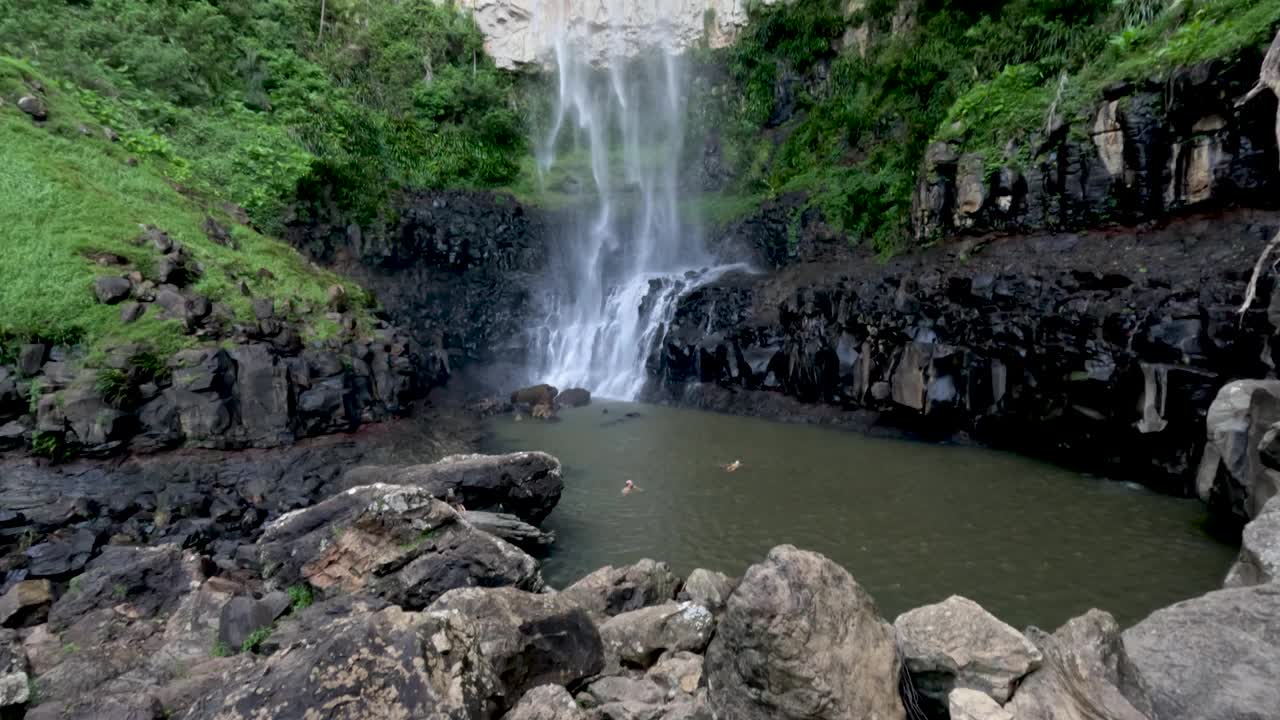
(63, 194)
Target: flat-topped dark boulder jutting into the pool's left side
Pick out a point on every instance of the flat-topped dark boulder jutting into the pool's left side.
(527, 485)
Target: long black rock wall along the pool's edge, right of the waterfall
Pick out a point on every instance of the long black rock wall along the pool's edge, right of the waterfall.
(1104, 350)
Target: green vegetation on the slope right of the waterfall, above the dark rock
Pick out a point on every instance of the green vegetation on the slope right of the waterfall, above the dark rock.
(986, 80)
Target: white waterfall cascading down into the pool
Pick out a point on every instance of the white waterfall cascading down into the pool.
(625, 256)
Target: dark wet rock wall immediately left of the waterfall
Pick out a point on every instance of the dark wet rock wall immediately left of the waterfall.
(459, 270)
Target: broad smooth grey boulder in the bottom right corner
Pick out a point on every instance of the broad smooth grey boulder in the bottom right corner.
(1213, 658)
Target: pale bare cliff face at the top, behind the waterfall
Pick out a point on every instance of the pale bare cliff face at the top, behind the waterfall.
(523, 33)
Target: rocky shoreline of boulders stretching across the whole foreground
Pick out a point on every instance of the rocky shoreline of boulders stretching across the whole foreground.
(348, 587)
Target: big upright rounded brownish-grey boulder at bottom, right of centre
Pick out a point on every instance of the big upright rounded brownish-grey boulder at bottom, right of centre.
(802, 640)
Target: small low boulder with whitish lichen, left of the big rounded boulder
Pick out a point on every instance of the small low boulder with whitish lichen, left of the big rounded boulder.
(639, 637)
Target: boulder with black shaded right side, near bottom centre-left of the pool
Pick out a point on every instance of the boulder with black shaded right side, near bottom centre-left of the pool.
(531, 640)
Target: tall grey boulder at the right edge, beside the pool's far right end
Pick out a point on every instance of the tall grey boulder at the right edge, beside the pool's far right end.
(1233, 476)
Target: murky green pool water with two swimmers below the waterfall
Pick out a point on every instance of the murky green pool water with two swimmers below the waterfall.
(915, 523)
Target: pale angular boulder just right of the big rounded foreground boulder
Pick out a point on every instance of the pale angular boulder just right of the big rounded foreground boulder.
(958, 645)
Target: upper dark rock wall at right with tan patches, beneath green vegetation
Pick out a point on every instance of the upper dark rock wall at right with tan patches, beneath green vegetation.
(1148, 151)
